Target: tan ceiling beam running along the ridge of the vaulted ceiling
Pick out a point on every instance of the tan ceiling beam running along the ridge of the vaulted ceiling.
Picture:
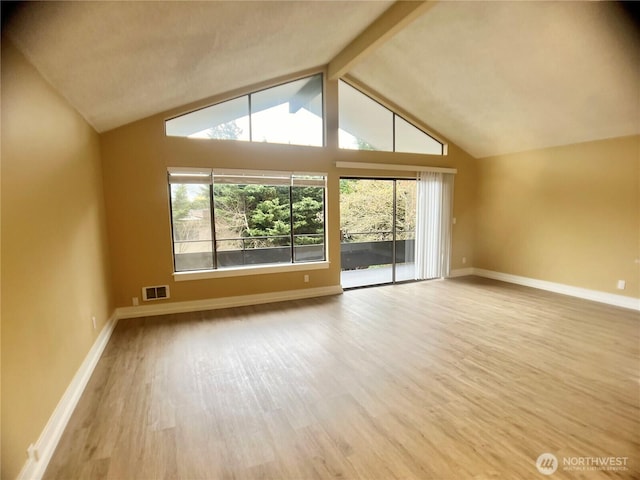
(394, 19)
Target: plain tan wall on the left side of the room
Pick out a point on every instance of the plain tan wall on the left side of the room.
(54, 253)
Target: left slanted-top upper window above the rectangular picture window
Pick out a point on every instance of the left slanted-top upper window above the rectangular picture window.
(291, 113)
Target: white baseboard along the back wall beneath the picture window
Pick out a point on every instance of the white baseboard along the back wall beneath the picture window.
(226, 302)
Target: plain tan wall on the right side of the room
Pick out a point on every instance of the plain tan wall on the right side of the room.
(568, 214)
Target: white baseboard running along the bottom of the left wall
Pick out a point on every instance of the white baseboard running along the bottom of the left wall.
(46, 444)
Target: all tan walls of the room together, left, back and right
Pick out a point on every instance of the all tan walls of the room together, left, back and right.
(568, 215)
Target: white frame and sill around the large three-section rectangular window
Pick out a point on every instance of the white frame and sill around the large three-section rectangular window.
(251, 269)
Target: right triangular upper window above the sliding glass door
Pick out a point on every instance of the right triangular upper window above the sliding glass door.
(367, 125)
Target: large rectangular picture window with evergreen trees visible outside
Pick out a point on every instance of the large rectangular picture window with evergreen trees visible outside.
(230, 219)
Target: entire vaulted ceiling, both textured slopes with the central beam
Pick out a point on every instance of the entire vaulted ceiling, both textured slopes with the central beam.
(493, 77)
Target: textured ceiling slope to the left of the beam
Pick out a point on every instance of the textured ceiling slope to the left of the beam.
(117, 62)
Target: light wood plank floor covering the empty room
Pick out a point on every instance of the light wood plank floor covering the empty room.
(455, 379)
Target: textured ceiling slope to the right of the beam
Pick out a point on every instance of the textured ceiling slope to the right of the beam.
(500, 77)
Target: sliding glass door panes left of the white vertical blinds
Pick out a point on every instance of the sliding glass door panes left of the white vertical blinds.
(377, 224)
